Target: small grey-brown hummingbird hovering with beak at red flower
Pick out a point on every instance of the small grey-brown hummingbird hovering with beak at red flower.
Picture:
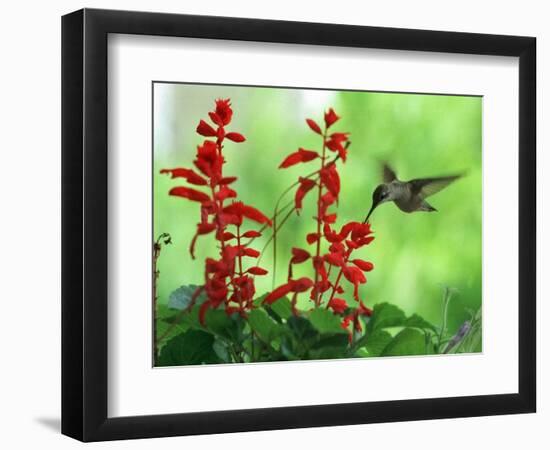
(409, 196)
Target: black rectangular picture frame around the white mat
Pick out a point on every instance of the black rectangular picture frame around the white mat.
(84, 224)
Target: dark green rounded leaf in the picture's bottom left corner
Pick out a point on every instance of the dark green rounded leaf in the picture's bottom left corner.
(191, 347)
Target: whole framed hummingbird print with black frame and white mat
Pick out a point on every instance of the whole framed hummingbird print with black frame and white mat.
(266, 224)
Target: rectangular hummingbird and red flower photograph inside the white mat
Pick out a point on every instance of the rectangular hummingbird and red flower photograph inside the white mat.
(294, 224)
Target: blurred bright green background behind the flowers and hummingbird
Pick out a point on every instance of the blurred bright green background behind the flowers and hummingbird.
(415, 255)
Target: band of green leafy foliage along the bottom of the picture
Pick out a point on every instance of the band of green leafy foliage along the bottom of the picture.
(275, 333)
